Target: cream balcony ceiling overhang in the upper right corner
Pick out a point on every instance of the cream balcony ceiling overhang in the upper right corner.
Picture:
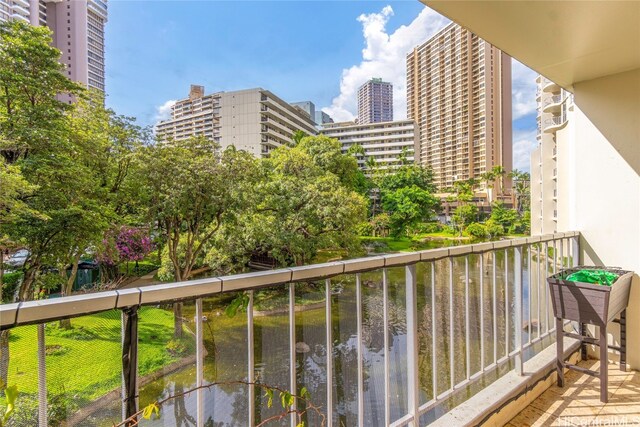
(566, 41)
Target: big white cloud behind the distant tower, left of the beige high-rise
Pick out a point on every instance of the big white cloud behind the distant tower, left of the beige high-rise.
(384, 56)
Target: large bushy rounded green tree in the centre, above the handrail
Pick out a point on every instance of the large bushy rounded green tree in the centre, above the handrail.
(305, 202)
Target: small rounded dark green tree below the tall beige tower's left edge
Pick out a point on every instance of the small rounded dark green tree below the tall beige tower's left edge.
(408, 206)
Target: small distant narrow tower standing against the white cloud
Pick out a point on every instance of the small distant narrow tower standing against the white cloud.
(375, 102)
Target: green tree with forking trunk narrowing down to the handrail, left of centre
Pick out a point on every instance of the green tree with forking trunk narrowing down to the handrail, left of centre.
(205, 187)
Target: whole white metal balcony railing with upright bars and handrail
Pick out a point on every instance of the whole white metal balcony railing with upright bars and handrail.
(401, 335)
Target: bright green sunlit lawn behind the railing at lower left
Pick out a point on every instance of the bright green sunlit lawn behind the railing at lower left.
(86, 361)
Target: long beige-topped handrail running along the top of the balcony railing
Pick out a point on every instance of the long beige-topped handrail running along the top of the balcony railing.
(33, 312)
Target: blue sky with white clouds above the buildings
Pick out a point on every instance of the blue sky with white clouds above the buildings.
(301, 50)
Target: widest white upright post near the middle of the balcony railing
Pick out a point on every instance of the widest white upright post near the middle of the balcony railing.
(413, 382)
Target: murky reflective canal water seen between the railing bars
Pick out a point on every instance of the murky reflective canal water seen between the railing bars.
(226, 344)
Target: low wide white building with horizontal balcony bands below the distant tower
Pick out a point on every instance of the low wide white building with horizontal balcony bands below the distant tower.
(389, 144)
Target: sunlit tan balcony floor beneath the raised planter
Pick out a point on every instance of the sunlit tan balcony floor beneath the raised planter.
(578, 403)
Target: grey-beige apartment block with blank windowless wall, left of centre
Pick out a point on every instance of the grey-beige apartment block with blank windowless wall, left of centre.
(254, 120)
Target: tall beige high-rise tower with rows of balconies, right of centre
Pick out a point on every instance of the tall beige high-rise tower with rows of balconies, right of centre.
(459, 93)
